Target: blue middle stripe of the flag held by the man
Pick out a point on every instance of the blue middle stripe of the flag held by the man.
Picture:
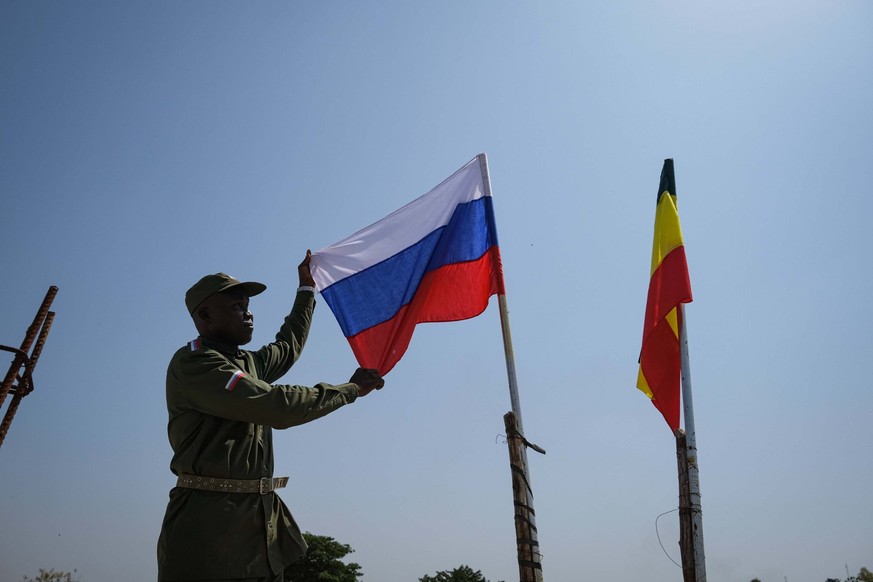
(468, 235)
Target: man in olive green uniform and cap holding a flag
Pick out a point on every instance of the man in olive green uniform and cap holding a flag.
(224, 521)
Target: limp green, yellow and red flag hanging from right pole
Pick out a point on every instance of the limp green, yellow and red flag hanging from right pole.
(660, 372)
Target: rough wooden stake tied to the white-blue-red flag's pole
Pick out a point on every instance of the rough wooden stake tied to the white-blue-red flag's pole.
(530, 568)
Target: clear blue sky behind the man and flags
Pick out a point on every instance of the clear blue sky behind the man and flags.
(144, 144)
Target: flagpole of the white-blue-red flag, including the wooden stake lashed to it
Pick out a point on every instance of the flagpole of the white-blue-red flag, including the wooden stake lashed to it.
(530, 567)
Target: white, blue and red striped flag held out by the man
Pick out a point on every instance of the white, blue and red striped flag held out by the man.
(435, 259)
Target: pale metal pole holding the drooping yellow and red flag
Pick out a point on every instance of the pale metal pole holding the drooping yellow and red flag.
(691, 450)
